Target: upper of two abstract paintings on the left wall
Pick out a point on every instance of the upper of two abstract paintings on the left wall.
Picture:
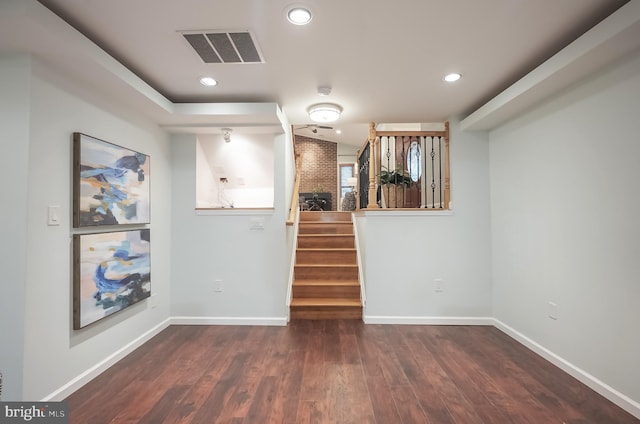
(110, 184)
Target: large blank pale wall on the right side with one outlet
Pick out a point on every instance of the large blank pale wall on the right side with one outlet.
(565, 196)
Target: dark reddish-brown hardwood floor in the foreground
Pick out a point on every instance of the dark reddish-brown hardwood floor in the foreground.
(337, 371)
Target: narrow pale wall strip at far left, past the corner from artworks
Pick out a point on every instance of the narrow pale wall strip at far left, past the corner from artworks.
(14, 141)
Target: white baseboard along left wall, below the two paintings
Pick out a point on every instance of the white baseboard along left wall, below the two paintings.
(103, 365)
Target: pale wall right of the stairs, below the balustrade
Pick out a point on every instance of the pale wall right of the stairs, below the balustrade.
(404, 254)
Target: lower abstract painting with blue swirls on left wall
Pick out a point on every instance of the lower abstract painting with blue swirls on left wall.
(112, 271)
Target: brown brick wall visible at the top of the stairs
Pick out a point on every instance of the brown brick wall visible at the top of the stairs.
(319, 167)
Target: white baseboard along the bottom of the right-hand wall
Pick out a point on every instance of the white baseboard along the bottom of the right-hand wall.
(584, 377)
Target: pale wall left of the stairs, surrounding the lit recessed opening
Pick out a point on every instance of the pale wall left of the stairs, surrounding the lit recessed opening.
(252, 264)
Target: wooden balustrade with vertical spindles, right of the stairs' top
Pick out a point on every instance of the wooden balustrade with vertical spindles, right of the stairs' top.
(404, 169)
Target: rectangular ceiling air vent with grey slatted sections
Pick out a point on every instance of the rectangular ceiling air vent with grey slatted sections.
(224, 47)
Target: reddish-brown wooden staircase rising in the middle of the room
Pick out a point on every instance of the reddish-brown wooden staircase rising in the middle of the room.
(326, 284)
